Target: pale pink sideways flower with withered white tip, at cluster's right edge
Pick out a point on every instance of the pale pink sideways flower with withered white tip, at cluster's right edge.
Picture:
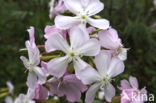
(109, 39)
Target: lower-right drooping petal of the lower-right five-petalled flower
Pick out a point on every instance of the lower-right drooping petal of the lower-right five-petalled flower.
(109, 92)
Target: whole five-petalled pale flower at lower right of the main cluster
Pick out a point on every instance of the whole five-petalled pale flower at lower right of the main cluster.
(107, 68)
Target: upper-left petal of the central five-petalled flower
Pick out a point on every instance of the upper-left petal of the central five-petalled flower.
(58, 42)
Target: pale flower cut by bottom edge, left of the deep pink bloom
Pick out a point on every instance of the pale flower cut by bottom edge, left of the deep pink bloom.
(22, 98)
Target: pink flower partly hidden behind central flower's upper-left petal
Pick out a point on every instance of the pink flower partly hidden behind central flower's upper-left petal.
(50, 30)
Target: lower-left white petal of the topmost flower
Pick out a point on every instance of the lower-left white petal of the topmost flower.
(66, 22)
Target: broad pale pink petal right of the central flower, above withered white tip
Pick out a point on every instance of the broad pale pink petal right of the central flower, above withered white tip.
(109, 39)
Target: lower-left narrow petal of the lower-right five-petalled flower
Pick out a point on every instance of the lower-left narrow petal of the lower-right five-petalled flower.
(90, 95)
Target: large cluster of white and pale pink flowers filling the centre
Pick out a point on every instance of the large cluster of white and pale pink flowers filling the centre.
(76, 58)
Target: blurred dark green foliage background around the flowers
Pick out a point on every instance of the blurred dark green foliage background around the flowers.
(132, 18)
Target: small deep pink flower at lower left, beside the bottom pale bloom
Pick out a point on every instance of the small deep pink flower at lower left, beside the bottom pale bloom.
(41, 93)
